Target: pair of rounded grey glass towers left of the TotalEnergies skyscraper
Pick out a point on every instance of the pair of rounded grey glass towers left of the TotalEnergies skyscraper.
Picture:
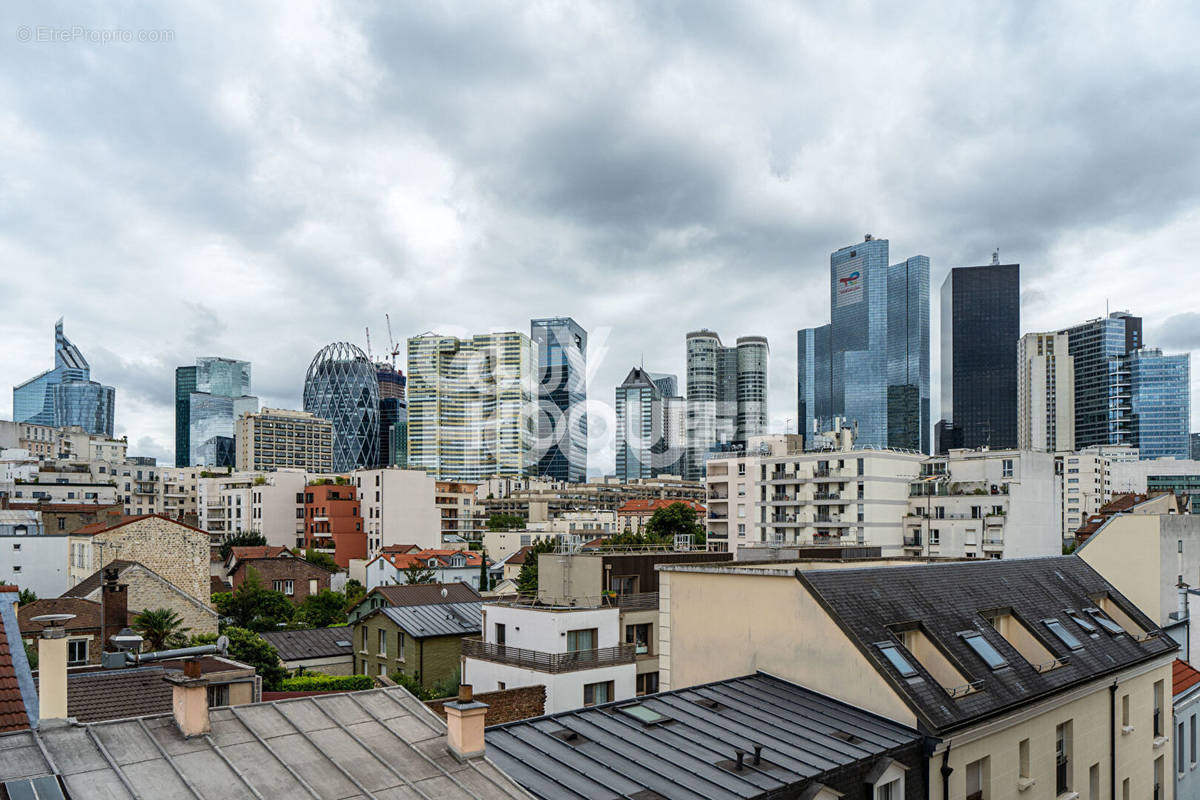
(727, 394)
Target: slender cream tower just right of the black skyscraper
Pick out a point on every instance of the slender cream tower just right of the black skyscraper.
(1046, 394)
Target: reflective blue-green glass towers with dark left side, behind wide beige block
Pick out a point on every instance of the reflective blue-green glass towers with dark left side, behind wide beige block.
(209, 399)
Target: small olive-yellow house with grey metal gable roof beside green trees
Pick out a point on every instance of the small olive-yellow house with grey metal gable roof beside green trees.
(424, 642)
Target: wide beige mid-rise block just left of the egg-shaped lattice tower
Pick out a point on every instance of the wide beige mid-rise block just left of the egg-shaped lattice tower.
(280, 440)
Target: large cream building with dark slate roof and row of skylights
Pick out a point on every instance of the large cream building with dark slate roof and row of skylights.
(1030, 673)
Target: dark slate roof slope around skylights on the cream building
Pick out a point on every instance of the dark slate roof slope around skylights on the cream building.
(947, 599)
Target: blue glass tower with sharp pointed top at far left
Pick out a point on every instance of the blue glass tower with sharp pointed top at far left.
(65, 395)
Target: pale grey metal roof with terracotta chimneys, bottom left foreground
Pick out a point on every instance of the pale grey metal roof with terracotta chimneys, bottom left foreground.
(380, 743)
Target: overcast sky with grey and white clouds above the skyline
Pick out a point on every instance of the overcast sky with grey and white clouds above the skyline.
(255, 182)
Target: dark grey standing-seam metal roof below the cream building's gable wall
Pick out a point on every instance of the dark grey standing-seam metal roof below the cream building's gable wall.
(805, 738)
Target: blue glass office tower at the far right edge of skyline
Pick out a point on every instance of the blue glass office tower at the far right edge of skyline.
(1161, 402)
